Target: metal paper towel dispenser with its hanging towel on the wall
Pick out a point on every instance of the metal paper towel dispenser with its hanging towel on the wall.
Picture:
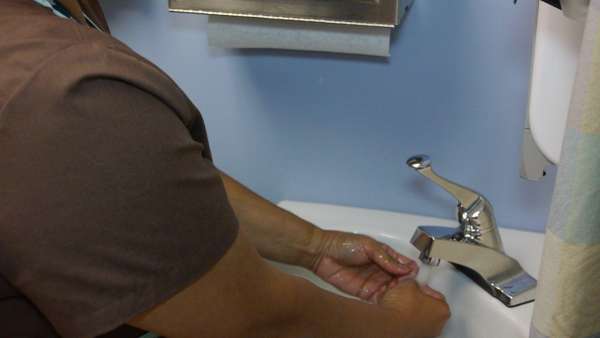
(341, 26)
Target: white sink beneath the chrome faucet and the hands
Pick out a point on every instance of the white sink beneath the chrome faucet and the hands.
(475, 314)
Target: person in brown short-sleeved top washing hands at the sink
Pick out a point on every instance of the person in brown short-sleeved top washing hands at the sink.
(113, 212)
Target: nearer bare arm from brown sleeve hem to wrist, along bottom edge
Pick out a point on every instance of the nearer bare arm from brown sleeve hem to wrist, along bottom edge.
(244, 296)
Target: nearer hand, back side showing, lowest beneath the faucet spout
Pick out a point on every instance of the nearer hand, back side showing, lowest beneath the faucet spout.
(422, 308)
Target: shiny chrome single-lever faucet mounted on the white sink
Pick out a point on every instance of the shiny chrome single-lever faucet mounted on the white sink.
(475, 246)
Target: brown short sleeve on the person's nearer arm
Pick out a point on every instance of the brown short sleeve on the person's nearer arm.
(110, 202)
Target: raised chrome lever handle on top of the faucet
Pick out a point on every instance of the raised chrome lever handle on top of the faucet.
(465, 196)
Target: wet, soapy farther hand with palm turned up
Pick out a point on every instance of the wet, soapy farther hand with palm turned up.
(359, 265)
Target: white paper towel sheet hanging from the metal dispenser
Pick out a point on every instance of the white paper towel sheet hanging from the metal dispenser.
(242, 32)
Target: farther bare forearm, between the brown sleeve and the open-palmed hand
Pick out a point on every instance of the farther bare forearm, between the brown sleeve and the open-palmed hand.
(277, 234)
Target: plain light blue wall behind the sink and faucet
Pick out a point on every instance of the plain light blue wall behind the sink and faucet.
(338, 129)
